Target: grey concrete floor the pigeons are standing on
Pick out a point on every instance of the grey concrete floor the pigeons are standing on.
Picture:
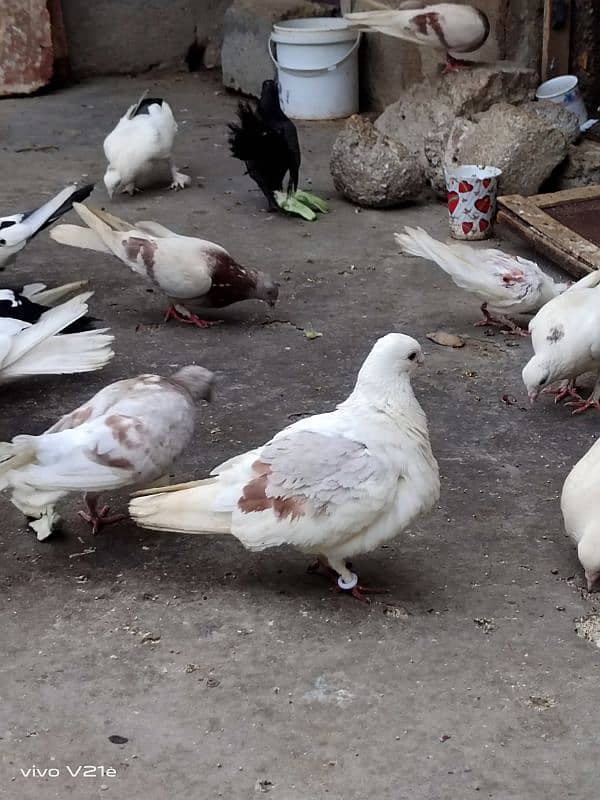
(260, 672)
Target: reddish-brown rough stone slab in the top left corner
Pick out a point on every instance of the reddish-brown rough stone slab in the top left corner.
(26, 59)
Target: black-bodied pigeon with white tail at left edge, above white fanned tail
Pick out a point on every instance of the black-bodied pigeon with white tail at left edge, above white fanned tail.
(28, 303)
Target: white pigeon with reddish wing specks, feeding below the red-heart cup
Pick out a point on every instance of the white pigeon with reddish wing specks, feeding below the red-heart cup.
(505, 284)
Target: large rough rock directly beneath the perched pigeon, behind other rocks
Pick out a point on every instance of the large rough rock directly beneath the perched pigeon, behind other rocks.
(427, 106)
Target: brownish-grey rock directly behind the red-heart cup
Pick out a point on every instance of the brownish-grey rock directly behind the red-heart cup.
(525, 146)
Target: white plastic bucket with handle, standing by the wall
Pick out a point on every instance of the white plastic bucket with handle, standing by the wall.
(317, 67)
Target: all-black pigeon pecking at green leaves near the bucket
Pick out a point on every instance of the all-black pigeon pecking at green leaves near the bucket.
(267, 141)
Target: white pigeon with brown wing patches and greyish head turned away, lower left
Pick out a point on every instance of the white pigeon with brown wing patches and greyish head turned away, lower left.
(128, 434)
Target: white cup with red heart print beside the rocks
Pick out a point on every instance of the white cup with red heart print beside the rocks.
(472, 191)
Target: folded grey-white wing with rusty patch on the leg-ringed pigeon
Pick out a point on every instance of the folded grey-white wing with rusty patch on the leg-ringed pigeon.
(311, 490)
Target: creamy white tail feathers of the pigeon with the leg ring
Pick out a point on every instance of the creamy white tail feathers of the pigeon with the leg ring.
(186, 508)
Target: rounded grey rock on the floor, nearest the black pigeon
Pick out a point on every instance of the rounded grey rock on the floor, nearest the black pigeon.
(372, 170)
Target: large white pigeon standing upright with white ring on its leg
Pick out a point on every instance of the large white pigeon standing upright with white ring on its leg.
(334, 485)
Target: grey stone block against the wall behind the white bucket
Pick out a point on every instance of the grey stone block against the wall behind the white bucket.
(247, 26)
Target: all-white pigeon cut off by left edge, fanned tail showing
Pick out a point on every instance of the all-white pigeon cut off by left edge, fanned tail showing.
(38, 349)
